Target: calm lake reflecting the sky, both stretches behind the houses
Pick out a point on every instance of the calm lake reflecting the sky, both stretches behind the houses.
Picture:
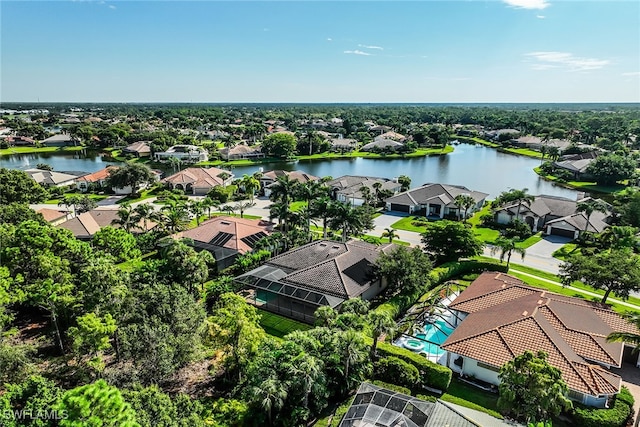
(474, 166)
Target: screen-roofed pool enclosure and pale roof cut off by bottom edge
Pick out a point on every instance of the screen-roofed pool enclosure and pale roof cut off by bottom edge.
(377, 406)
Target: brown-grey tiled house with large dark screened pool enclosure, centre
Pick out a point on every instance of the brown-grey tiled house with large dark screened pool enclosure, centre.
(319, 273)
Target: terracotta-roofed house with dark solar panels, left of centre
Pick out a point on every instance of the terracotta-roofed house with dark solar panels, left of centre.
(226, 237)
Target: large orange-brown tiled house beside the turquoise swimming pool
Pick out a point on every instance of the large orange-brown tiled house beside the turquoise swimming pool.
(499, 317)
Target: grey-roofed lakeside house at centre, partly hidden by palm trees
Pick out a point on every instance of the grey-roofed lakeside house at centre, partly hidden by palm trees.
(348, 188)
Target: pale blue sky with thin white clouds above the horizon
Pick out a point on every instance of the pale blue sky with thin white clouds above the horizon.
(302, 51)
